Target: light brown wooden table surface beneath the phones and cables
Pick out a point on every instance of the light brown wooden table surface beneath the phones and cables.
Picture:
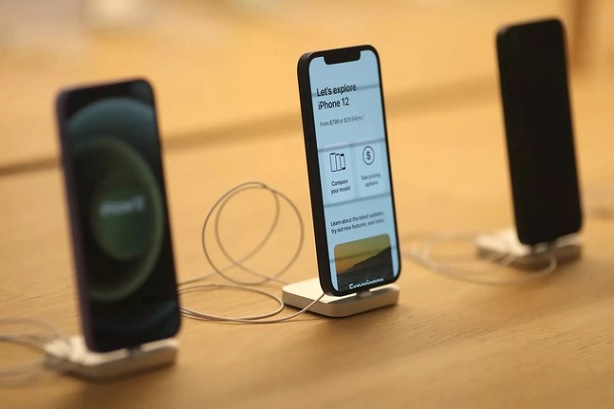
(447, 343)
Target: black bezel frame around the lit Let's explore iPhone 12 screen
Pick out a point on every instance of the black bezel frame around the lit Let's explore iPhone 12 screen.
(333, 56)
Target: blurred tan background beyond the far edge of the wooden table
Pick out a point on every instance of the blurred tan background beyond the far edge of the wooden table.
(227, 69)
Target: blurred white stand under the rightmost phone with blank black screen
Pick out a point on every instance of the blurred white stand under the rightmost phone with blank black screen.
(504, 243)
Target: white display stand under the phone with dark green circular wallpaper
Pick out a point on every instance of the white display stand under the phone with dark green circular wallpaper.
(72, 357)
